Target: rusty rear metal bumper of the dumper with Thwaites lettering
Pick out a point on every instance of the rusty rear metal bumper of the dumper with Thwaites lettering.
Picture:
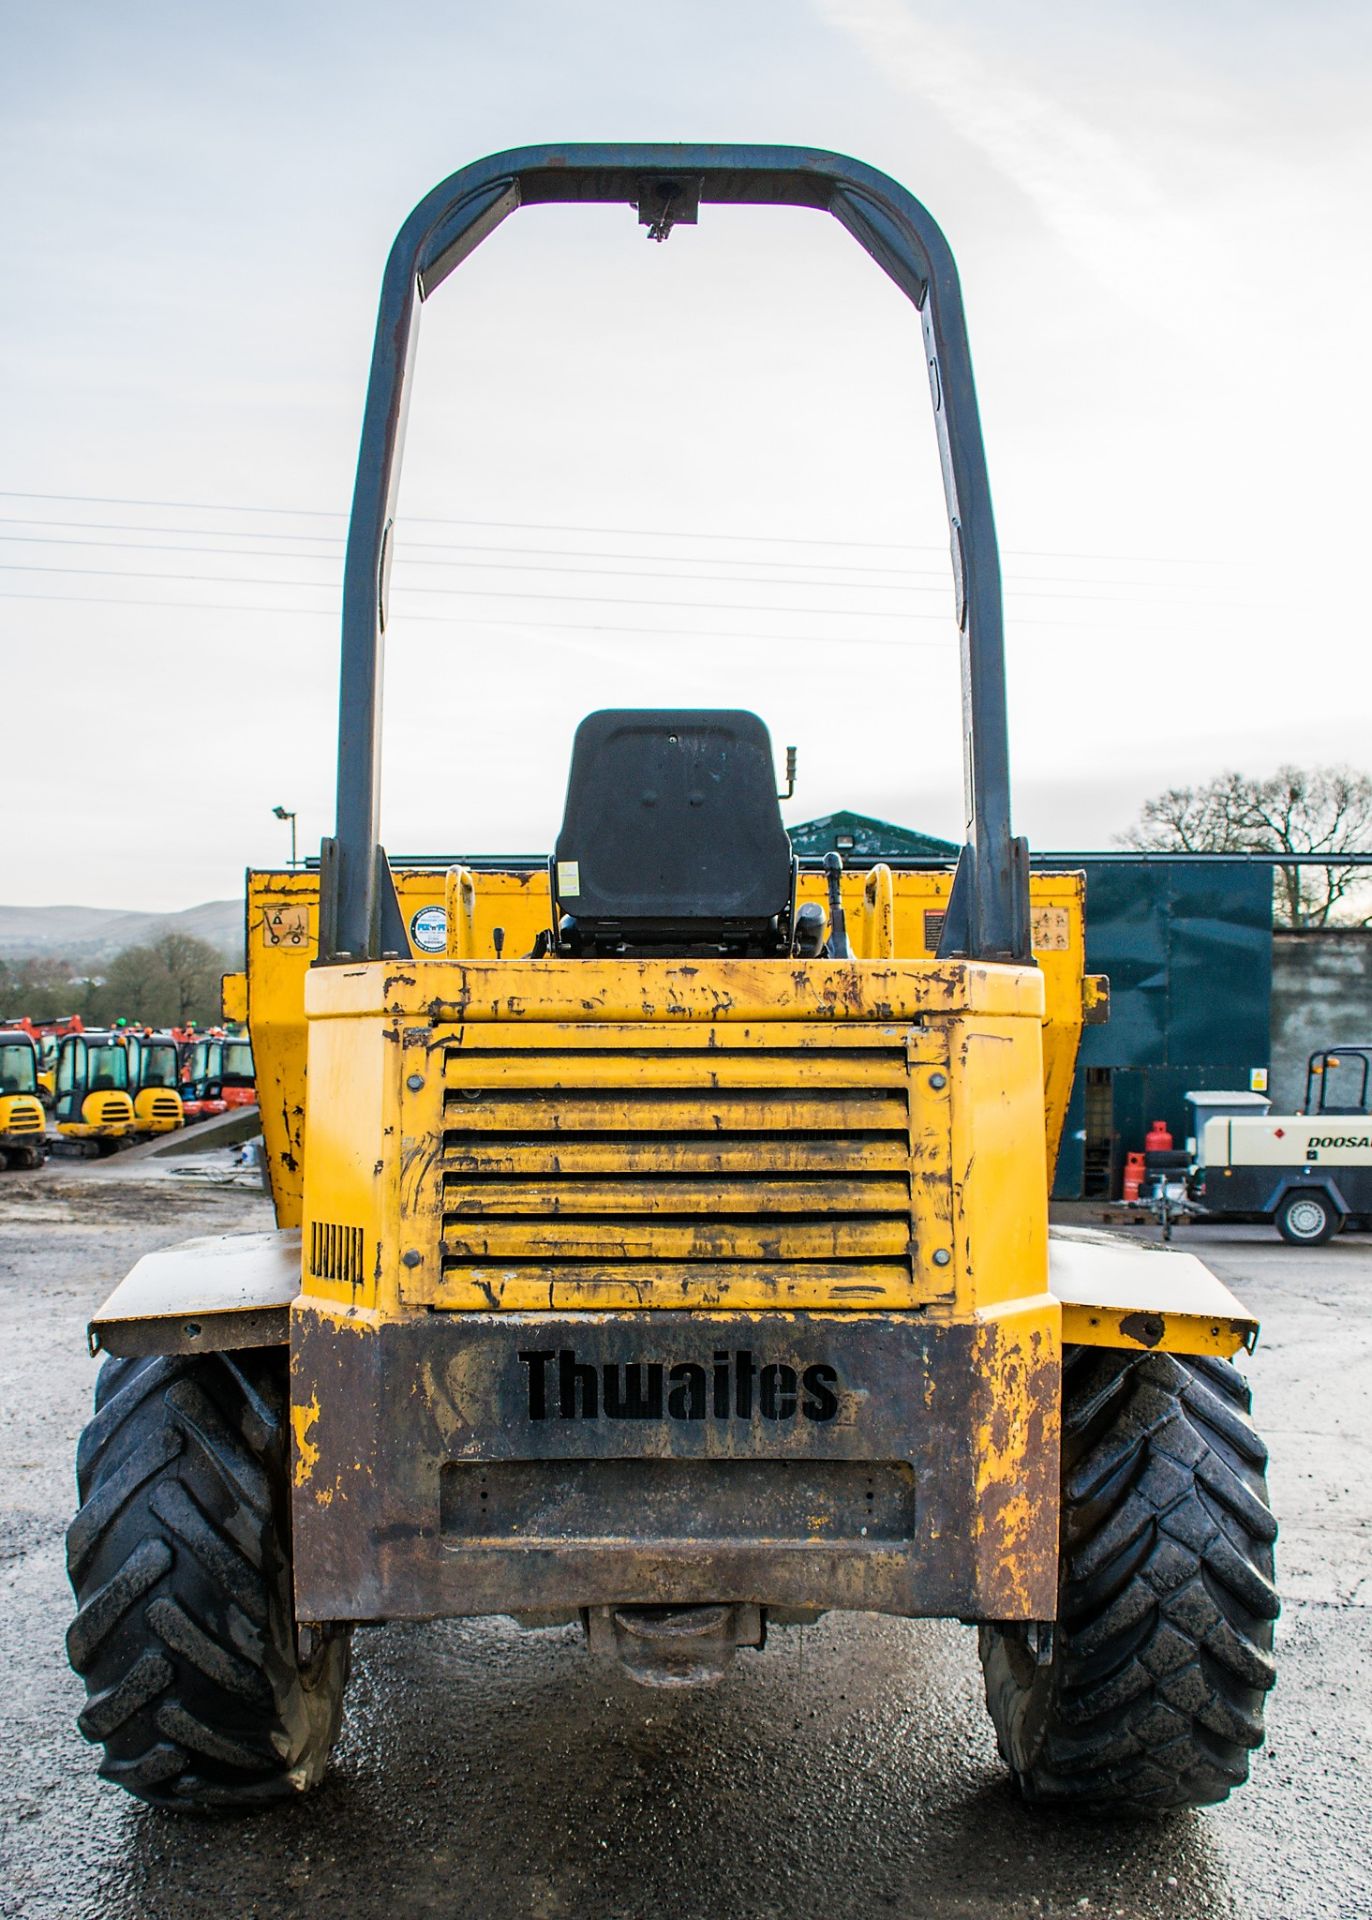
(456, 1464)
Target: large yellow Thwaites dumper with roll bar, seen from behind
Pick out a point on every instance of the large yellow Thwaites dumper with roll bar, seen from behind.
(663, 1234)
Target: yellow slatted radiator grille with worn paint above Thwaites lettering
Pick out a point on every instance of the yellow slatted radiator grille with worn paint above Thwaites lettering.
(678, 1172)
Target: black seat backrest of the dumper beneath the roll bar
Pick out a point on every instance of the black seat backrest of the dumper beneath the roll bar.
(673, 830)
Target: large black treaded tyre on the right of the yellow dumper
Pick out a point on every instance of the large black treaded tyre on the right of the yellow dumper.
(1150, 1691)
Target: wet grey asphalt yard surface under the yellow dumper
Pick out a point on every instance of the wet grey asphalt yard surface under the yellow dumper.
(845, 1771)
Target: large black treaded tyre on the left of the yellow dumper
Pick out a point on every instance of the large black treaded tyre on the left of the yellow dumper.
(199, 1685)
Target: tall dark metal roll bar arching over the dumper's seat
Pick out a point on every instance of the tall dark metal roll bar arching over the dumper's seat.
(989, 907)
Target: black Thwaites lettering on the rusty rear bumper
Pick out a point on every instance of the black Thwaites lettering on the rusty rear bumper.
(734, 1387)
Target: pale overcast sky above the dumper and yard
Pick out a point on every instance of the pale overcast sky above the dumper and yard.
(698, 473)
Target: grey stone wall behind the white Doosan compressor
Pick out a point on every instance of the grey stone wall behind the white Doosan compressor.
(1321, 997)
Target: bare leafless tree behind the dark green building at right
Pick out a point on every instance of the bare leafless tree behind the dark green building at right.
(1323, 809)
